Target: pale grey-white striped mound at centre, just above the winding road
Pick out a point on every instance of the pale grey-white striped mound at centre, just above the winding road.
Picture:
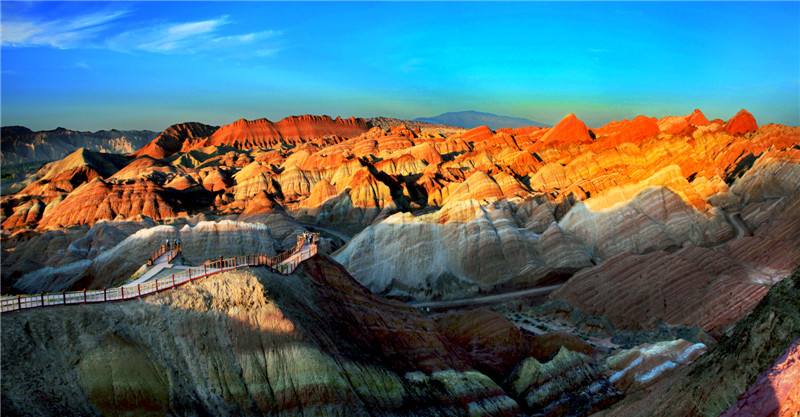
(458, 250)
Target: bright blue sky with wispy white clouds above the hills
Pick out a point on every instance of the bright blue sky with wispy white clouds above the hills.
(147, 65)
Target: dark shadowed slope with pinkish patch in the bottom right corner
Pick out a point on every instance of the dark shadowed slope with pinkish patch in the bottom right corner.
(747, 373)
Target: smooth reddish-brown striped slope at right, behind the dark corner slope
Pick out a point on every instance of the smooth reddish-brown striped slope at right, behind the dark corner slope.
(700, 286)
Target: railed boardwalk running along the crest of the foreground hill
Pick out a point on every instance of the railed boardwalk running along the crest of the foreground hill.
(284, 265)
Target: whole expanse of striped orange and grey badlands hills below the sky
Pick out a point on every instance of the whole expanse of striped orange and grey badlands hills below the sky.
(662, 235)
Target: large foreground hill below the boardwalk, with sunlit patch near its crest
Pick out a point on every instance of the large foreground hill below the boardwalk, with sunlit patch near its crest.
(242, 343)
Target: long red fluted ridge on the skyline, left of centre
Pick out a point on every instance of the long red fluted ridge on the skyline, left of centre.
(264, 133)
